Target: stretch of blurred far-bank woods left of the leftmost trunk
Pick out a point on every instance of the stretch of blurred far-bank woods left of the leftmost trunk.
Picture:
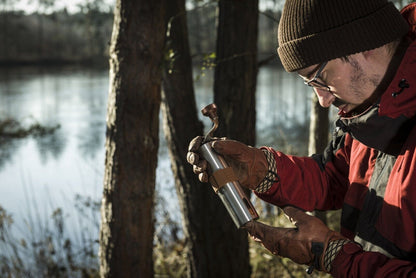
(54, 38)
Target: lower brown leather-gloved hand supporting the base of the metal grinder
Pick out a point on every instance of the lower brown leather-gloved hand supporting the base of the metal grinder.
(305, 244)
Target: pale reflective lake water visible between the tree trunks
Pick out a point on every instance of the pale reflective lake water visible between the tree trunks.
(40, 174)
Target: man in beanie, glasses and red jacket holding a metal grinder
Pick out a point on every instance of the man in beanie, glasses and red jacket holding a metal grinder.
(358, 55)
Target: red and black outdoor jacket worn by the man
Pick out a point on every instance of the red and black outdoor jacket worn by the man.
(368, 170)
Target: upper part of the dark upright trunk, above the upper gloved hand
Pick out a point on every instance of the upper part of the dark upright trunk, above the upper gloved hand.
(236, 69)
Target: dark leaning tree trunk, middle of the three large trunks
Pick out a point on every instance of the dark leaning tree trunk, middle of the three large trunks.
(199, 205)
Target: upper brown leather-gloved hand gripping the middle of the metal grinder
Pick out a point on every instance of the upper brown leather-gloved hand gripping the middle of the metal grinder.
(249, 164)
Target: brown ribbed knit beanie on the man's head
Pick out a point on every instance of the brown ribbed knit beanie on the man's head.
(314, 31)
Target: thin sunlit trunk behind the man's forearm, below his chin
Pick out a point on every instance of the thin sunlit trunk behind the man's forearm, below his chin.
(318, 135)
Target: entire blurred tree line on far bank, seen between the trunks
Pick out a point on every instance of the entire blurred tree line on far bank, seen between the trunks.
(83, 37)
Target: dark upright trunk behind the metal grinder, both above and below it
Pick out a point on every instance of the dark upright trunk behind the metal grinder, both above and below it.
(234, 94)
